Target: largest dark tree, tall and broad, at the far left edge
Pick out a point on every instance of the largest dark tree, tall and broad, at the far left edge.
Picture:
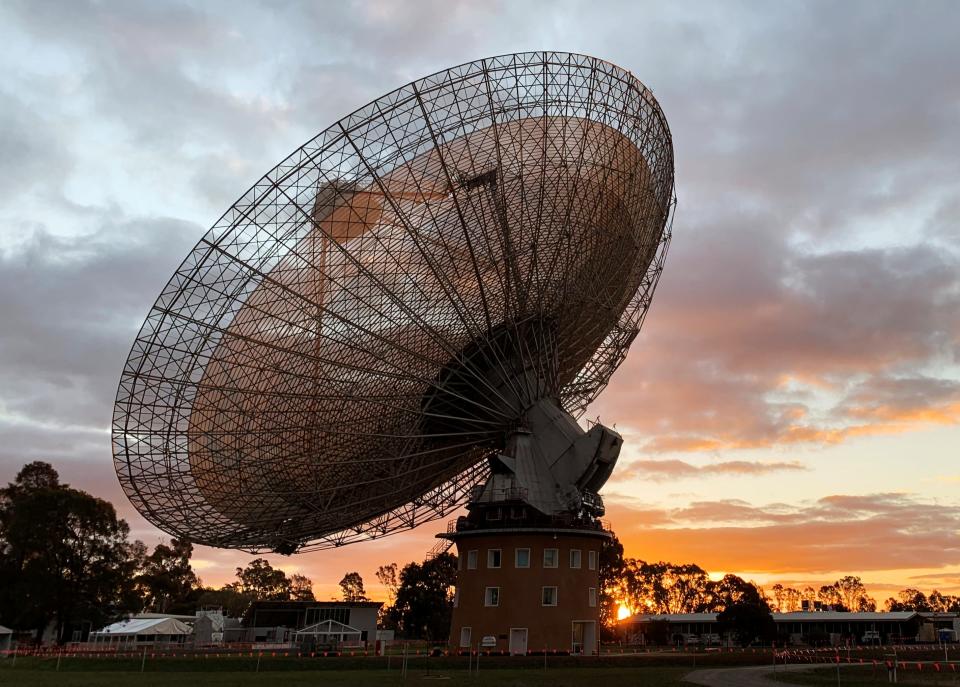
(64, 556)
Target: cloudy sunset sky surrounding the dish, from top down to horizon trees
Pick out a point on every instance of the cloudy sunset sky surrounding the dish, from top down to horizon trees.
(791, 407)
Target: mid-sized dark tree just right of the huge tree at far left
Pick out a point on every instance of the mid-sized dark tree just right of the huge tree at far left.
(167, 581)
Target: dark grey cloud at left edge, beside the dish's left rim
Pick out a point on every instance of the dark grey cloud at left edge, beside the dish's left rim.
(71, 308)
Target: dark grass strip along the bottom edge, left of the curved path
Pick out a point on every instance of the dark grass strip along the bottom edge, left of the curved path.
(375, 677)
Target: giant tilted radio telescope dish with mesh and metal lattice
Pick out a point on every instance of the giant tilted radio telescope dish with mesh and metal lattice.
(338, 355)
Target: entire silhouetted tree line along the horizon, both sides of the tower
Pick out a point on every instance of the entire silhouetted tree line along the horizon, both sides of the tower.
(67, 559)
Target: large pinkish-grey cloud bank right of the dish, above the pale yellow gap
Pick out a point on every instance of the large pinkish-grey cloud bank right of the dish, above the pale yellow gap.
(770, 345)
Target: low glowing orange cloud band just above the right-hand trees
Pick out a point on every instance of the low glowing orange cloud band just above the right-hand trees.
(836, 533)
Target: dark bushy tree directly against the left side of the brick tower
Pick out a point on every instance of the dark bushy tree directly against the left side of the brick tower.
(425, 598)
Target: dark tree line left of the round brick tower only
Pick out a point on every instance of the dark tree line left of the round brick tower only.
(66, 559)
